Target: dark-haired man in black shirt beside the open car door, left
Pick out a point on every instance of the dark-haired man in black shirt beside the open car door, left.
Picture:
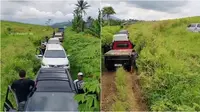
(22, 87)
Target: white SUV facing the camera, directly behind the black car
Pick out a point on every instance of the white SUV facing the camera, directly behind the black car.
(55, 56)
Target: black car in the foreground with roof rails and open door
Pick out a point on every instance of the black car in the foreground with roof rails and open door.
(54, 92)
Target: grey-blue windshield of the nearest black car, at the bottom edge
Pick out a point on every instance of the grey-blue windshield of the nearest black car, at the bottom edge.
(52, 101)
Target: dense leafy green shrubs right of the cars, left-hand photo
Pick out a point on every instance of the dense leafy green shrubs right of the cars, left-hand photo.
(88, 63)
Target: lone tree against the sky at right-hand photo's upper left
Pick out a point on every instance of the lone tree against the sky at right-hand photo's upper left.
(107, 11)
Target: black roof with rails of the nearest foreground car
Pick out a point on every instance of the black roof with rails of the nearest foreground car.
(54, 79)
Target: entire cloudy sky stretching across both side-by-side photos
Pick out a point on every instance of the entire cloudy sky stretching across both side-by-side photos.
(38, 12)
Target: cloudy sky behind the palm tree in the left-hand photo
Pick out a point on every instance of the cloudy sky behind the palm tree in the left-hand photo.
(38, 12)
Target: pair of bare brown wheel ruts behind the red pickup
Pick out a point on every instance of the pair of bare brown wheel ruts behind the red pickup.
(136, 100)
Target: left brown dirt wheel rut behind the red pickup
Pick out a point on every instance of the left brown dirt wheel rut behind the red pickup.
(108, 90)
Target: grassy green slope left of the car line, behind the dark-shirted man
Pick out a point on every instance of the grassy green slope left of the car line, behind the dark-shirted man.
(18, 45)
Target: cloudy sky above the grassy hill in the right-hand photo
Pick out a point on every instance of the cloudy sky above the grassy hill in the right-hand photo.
(154, 10)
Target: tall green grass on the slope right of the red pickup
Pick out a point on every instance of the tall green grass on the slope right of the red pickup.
(169, 63)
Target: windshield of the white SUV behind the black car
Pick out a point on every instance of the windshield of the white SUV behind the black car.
(54, 54)
